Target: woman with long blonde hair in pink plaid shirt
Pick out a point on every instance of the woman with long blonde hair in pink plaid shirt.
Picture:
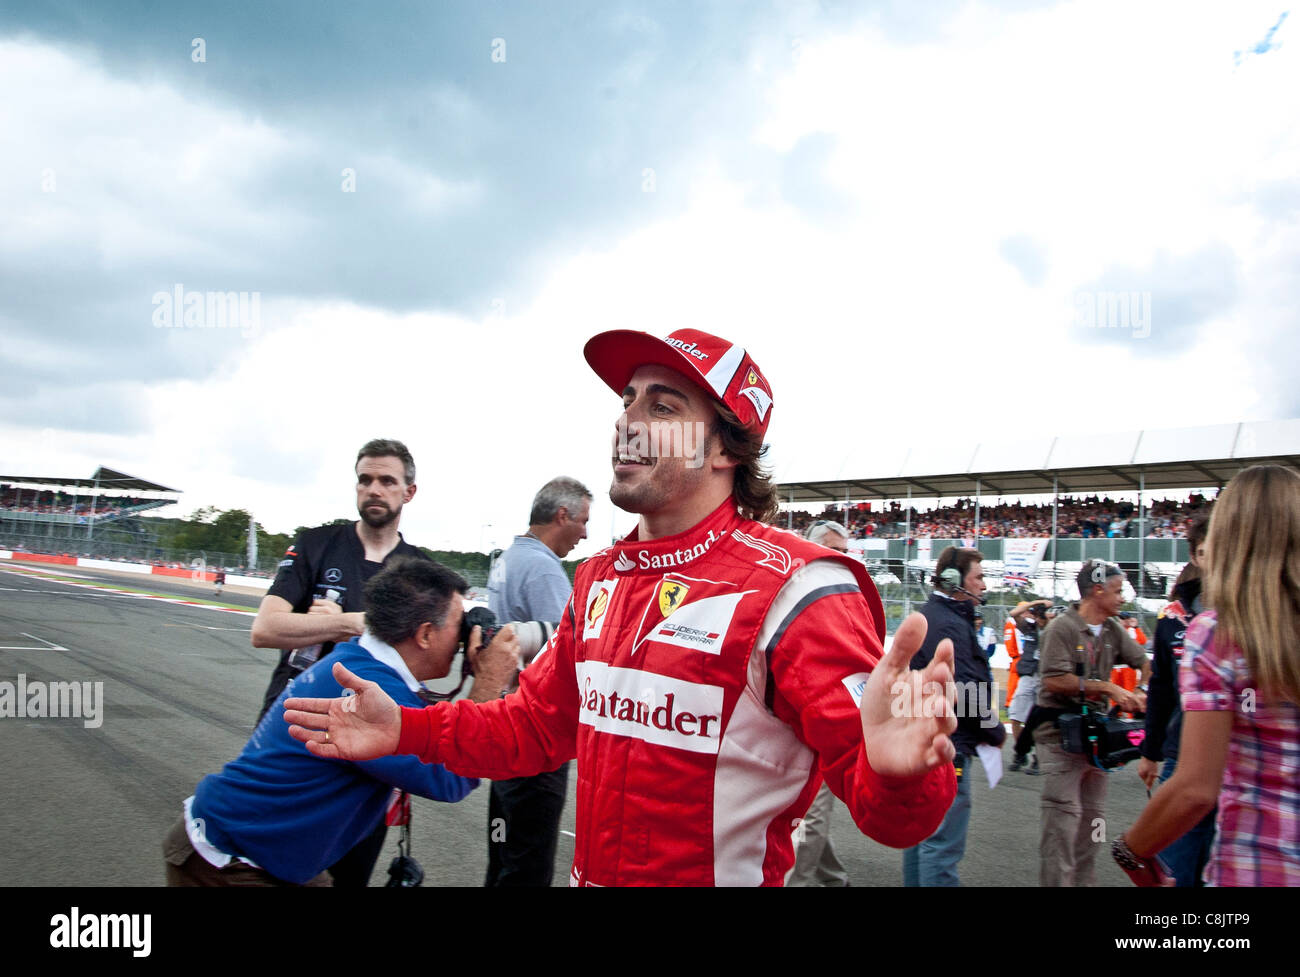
(1241, 687)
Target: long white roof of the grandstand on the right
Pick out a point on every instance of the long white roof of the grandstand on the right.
(1180, 458)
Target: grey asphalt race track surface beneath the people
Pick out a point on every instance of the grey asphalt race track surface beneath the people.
(183, 688)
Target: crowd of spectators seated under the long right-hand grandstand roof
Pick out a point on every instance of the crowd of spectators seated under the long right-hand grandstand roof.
(1089, 518)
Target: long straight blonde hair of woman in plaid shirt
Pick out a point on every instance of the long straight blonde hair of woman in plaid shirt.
(1254, 575)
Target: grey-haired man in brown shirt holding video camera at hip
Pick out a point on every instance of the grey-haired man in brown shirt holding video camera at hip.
(1077, 653)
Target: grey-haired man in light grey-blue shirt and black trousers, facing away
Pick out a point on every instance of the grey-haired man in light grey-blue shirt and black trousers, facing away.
(528, 584)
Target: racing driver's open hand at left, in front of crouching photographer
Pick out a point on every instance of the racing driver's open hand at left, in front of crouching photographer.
(359, 727)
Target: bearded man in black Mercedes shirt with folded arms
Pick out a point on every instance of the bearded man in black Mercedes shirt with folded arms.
(318, 596)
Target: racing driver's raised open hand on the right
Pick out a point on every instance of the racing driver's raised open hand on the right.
(907, 717)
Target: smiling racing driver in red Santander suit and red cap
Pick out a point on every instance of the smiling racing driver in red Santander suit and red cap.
(707, 680)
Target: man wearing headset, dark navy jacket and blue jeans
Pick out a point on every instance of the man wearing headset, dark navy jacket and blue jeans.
(951, 614)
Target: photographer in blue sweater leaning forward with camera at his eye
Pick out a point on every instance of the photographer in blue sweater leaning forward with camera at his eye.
(278, 815)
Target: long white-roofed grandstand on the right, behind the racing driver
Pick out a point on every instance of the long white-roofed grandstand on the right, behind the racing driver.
(1172, 461)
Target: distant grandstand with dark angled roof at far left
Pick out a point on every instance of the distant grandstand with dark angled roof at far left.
(80, 516)
